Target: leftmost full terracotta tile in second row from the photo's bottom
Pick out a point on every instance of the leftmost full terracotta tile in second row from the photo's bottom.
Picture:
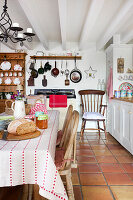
(92, 179)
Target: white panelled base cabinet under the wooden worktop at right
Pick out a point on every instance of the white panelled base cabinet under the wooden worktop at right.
(122, 123)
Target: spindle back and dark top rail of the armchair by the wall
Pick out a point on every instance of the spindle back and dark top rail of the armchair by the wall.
(91, 100)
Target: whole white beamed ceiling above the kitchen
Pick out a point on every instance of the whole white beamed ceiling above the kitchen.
(81, 21)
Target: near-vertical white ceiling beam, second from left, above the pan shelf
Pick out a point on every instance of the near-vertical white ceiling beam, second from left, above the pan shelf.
(62, 4)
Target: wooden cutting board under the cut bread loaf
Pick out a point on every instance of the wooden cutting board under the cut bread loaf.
(20, 137)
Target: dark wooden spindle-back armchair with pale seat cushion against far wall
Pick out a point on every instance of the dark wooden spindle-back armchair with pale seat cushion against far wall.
(92, 109)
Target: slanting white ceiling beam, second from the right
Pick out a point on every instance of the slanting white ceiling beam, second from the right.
(93, 13)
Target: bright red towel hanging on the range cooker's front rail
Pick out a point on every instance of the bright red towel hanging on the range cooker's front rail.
(57, 101)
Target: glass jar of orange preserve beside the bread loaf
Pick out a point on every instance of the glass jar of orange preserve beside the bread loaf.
(42, 121)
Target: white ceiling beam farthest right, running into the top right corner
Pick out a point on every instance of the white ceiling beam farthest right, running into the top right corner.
(114, 25)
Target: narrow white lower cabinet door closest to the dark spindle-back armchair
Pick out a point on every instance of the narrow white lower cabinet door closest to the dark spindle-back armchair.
(116, 118)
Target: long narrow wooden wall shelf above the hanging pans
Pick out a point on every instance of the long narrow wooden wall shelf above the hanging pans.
(56, 57)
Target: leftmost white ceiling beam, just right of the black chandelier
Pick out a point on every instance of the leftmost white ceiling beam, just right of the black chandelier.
(26, 6)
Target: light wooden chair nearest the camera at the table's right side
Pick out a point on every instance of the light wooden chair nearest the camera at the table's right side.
(63, 157)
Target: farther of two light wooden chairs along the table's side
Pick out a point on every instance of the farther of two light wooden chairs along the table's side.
(61, 133)
